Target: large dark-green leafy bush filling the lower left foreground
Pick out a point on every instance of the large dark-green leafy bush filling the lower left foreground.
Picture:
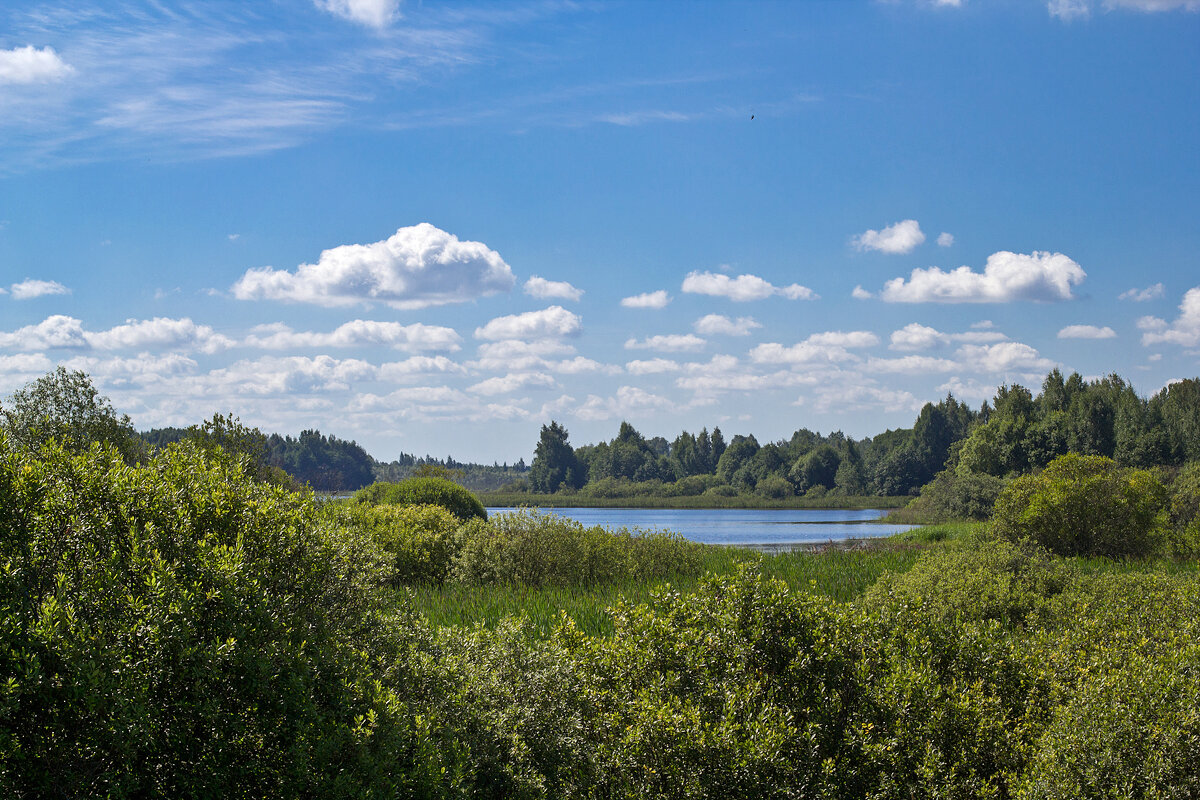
(182, 630)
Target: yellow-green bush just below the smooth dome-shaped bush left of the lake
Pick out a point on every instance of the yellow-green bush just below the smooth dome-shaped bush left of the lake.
(419, 539)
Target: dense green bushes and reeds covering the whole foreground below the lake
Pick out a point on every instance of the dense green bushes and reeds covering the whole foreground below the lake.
(178, 629)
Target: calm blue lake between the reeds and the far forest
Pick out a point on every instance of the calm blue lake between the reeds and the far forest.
(766, 528)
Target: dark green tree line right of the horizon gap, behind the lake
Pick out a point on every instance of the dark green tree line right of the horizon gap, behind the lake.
(1012, 435)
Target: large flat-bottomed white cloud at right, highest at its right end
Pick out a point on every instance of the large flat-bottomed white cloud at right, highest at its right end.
(1007, 278)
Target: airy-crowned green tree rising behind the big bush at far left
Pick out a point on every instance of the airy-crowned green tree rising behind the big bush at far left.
(65, 407)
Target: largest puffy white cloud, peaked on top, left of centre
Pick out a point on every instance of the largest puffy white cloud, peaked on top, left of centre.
(416, 268)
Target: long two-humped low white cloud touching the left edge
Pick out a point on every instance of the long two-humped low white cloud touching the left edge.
(68, 333)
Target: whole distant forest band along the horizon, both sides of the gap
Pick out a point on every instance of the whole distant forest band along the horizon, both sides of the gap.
(1015, 434)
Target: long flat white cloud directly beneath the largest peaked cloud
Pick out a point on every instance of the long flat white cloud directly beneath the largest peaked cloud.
(417, 338)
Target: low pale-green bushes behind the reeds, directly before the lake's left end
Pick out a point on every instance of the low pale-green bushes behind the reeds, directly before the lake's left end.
(538, 550)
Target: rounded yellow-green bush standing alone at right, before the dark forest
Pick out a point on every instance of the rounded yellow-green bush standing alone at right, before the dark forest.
(1084, 506)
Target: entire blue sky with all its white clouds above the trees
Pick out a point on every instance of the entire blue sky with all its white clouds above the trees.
(433, 227)
